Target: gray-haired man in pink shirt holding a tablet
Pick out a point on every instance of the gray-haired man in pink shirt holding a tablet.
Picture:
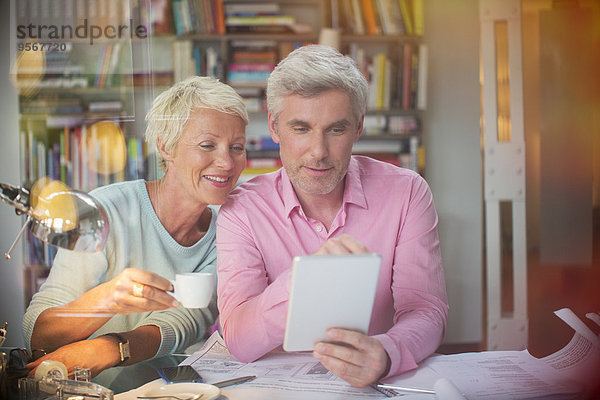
(326, 201)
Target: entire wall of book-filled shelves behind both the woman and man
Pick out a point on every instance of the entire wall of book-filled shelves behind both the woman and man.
(63, 97)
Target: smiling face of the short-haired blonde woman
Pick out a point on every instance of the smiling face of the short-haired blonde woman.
(209, 157)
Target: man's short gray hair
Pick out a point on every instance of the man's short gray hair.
(313, 69)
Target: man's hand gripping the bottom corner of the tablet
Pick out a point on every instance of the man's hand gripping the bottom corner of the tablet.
(356, 358)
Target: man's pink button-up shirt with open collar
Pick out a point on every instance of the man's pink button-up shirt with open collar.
(262, 227)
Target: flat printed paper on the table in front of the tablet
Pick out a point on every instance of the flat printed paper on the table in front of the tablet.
(278, 374)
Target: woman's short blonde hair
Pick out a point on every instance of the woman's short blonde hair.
(171, 109)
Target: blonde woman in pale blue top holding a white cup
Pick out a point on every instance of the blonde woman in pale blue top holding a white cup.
(94, 306)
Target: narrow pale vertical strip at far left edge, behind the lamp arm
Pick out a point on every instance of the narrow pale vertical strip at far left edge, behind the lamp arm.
(12, 303)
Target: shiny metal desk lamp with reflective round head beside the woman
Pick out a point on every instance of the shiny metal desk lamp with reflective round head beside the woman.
(58, 215)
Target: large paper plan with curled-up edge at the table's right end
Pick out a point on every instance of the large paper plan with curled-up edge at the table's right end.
(518, 375)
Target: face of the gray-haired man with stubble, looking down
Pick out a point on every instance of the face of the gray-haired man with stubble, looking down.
(316, 135)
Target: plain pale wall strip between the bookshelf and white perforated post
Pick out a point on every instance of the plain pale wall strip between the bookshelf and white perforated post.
(453, 163)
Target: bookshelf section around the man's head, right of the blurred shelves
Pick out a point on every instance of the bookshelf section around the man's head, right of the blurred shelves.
(384, 37)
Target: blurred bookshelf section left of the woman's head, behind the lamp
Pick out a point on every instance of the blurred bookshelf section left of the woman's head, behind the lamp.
(82, 71)
